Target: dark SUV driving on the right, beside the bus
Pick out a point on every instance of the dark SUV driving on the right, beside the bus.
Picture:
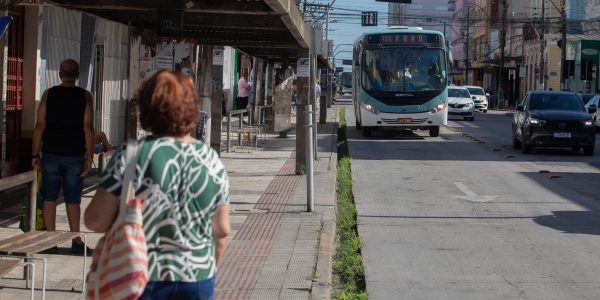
(553, 119)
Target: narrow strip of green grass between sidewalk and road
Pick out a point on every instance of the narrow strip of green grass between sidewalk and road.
(347, 262)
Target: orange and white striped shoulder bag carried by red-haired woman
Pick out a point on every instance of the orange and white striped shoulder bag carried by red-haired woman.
(119, 267)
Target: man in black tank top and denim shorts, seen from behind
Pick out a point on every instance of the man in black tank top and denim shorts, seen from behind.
(65, 132)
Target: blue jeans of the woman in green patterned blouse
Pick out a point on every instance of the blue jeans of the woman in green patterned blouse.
(201, 290)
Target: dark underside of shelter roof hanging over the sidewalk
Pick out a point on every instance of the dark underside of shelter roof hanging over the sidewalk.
(272, 29)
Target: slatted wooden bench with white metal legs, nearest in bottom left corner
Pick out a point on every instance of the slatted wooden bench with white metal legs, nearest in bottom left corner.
(24, 246)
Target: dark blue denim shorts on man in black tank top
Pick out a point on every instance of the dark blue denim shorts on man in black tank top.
(62, 171)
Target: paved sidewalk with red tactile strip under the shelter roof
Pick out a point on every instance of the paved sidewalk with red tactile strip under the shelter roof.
(277, 249)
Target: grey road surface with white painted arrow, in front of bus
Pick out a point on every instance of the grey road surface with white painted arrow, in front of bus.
(464, 216)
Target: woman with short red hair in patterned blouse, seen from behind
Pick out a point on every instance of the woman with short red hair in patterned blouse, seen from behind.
(184, 188)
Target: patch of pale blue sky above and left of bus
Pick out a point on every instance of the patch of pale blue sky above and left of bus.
(344, 24)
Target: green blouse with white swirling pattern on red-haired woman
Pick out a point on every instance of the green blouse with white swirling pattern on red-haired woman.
(182, 184)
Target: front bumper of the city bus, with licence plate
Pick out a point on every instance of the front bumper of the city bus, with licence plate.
(421, 120)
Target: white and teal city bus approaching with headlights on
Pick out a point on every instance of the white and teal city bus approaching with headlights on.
(400, 80)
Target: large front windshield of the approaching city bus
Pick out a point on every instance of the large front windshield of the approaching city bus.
(404, 69)
